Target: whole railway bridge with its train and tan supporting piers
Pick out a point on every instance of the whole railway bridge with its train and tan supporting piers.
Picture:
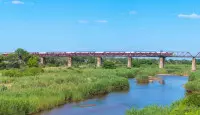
(161, 55)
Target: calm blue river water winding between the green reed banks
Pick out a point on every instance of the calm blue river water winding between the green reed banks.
(117, 103)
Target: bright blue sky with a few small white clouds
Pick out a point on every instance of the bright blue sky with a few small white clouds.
(100, 25)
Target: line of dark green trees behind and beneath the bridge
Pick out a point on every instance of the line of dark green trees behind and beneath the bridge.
(22, 58)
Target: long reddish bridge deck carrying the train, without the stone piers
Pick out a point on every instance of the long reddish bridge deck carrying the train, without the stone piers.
(116, 54)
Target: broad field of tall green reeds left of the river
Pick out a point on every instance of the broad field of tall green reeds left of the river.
(56, 86)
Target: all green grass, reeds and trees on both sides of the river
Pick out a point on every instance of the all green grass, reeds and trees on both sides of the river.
(27, 88)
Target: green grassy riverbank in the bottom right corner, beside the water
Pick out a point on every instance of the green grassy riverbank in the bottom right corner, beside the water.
(186, 106)
